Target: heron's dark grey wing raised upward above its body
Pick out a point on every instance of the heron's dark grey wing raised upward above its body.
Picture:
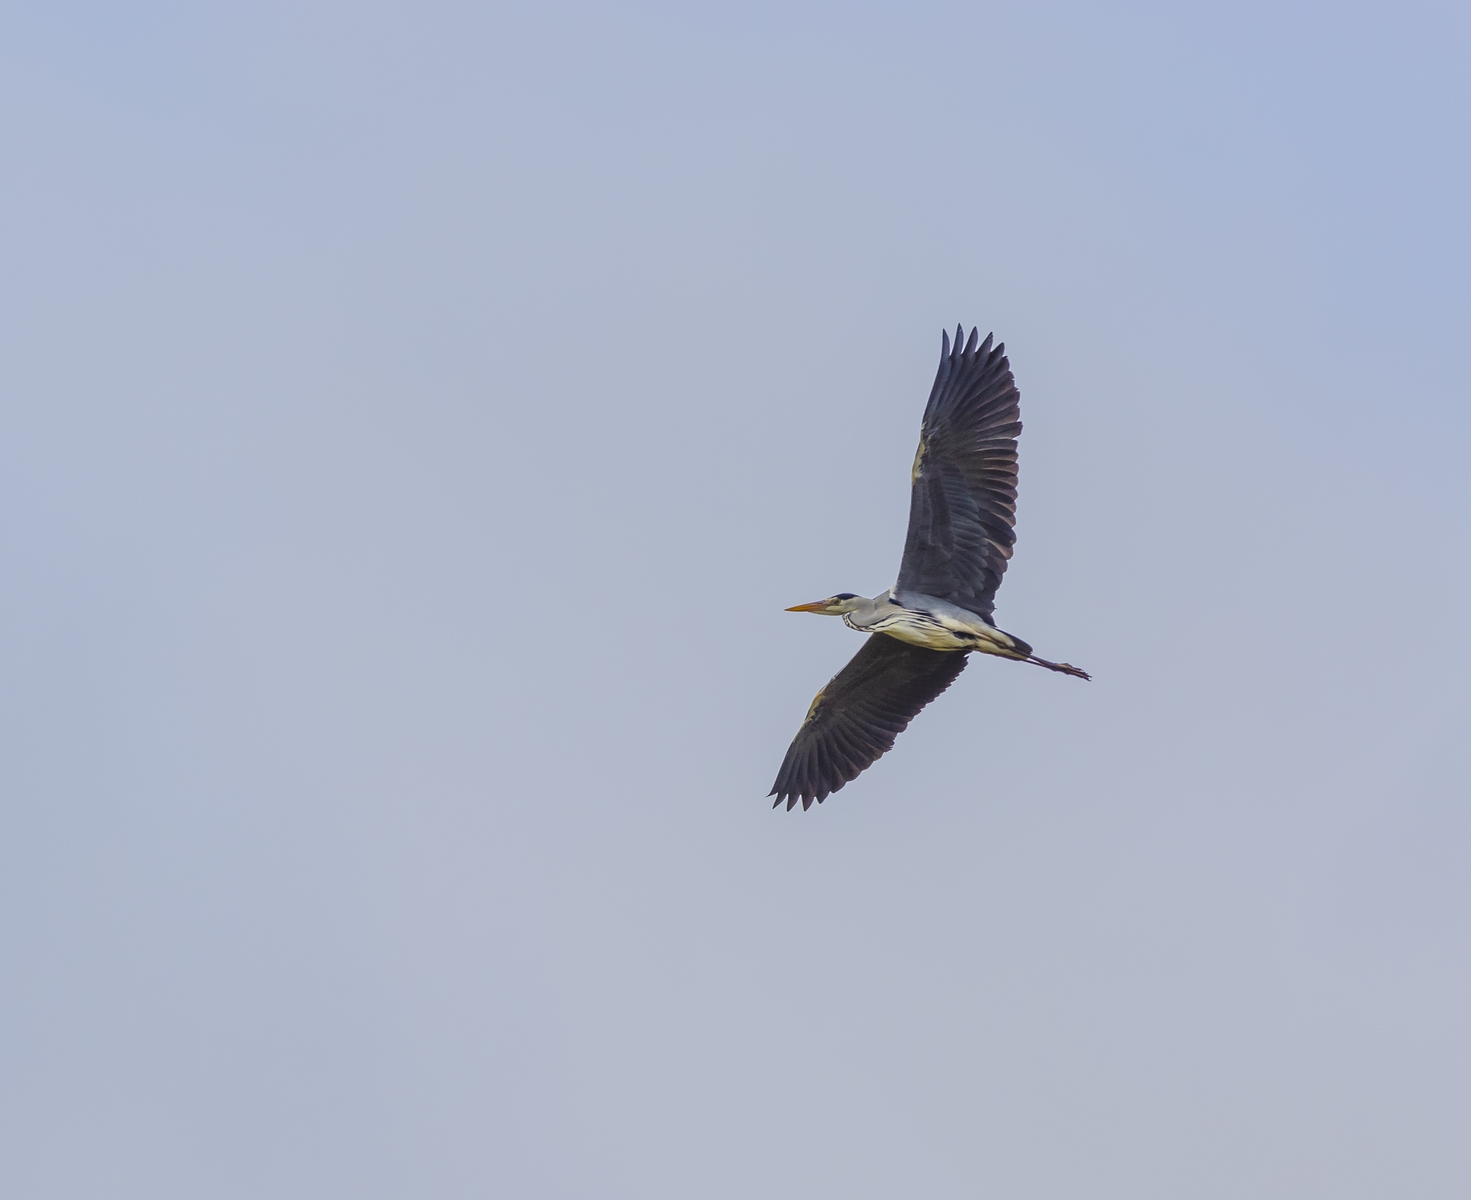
(963, 505)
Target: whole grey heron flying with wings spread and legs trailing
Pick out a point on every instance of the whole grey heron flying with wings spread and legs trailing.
(963, 510)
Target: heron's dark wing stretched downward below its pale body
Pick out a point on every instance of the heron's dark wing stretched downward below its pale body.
(860, 714)
